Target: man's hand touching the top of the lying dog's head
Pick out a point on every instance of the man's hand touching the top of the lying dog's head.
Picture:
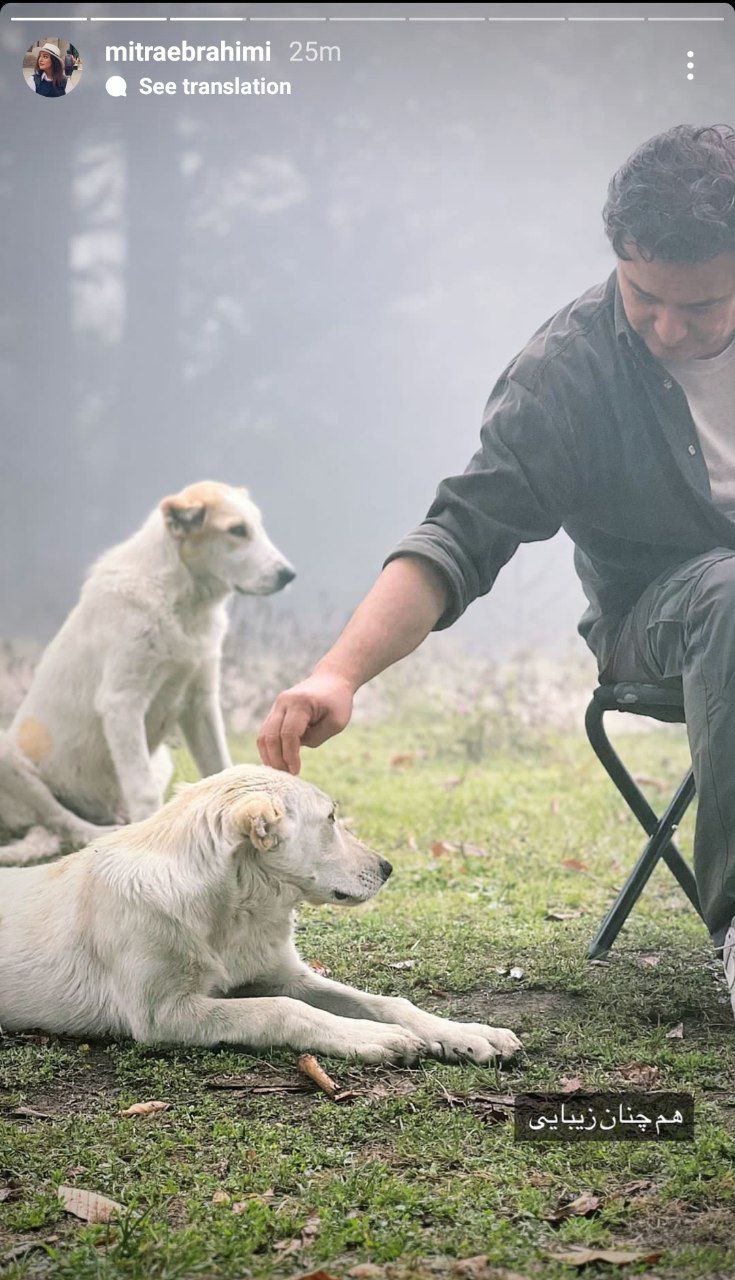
(305, 716)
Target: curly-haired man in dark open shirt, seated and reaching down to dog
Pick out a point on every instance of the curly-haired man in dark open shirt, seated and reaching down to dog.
(617, 423)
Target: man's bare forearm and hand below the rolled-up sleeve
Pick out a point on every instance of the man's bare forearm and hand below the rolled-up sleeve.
(394, 619)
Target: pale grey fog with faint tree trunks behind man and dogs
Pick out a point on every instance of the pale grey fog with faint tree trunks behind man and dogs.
(313, 295)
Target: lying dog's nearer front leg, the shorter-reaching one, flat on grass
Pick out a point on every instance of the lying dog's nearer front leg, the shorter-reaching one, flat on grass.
(277, 1022)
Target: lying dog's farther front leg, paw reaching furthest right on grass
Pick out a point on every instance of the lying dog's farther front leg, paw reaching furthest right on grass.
(442, 1039)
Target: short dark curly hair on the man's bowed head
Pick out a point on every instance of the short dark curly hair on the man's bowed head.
(674, 199)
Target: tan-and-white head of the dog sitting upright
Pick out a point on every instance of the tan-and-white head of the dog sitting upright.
(220, 536)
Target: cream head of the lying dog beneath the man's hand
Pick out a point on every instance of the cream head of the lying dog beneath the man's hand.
(291, 831)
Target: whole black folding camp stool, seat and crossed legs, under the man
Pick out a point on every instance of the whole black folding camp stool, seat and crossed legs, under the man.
(661, 705)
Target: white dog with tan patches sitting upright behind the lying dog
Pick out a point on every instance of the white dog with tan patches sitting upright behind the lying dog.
(139, 655)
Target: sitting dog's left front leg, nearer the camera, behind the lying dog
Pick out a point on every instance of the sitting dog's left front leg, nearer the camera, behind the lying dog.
(125, 729)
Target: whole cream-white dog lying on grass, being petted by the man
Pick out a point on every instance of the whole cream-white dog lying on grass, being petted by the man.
(150, 930)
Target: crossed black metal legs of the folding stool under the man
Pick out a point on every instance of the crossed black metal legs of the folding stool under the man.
(660, 845)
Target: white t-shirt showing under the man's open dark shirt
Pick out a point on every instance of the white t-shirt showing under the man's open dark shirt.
(710, 390)
